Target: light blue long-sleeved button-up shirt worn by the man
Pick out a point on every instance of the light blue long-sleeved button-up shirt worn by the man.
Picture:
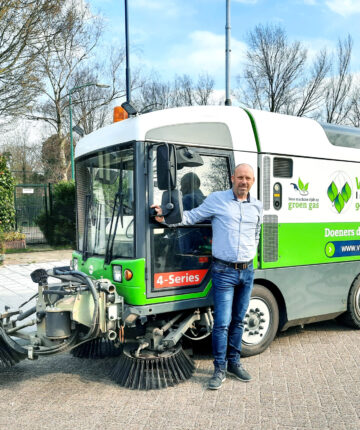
(235, 224)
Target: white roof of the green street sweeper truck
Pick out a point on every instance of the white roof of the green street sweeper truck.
(223, 127)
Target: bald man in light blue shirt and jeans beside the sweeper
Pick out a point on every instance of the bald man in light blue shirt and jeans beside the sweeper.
(236, 219)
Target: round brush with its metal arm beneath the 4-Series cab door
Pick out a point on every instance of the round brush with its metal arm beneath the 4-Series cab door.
(157, 359)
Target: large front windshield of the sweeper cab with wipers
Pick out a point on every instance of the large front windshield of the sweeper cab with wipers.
(105, 203)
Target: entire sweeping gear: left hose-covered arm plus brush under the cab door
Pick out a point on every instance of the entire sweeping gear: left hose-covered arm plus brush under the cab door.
(88, 318)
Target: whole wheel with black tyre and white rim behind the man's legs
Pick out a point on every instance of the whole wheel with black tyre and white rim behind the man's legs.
(261, 322)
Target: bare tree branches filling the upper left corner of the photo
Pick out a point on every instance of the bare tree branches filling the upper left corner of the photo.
(21, 40)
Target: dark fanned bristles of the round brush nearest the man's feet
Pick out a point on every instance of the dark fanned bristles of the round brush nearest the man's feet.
(152, 370)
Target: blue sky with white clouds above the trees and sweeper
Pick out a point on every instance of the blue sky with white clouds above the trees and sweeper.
(176, 37)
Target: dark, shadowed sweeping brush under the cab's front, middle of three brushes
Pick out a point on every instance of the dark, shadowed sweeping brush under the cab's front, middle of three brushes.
(97, 348)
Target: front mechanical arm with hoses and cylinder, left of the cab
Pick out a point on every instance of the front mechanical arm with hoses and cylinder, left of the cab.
(74, 311)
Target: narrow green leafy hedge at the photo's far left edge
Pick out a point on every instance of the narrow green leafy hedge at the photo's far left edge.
(7, 209)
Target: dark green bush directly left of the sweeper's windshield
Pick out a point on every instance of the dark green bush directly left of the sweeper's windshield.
(59, 226)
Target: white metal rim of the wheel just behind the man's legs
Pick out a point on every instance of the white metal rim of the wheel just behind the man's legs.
(257, 321)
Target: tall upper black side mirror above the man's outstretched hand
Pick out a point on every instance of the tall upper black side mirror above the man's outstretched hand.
(166, 167)
